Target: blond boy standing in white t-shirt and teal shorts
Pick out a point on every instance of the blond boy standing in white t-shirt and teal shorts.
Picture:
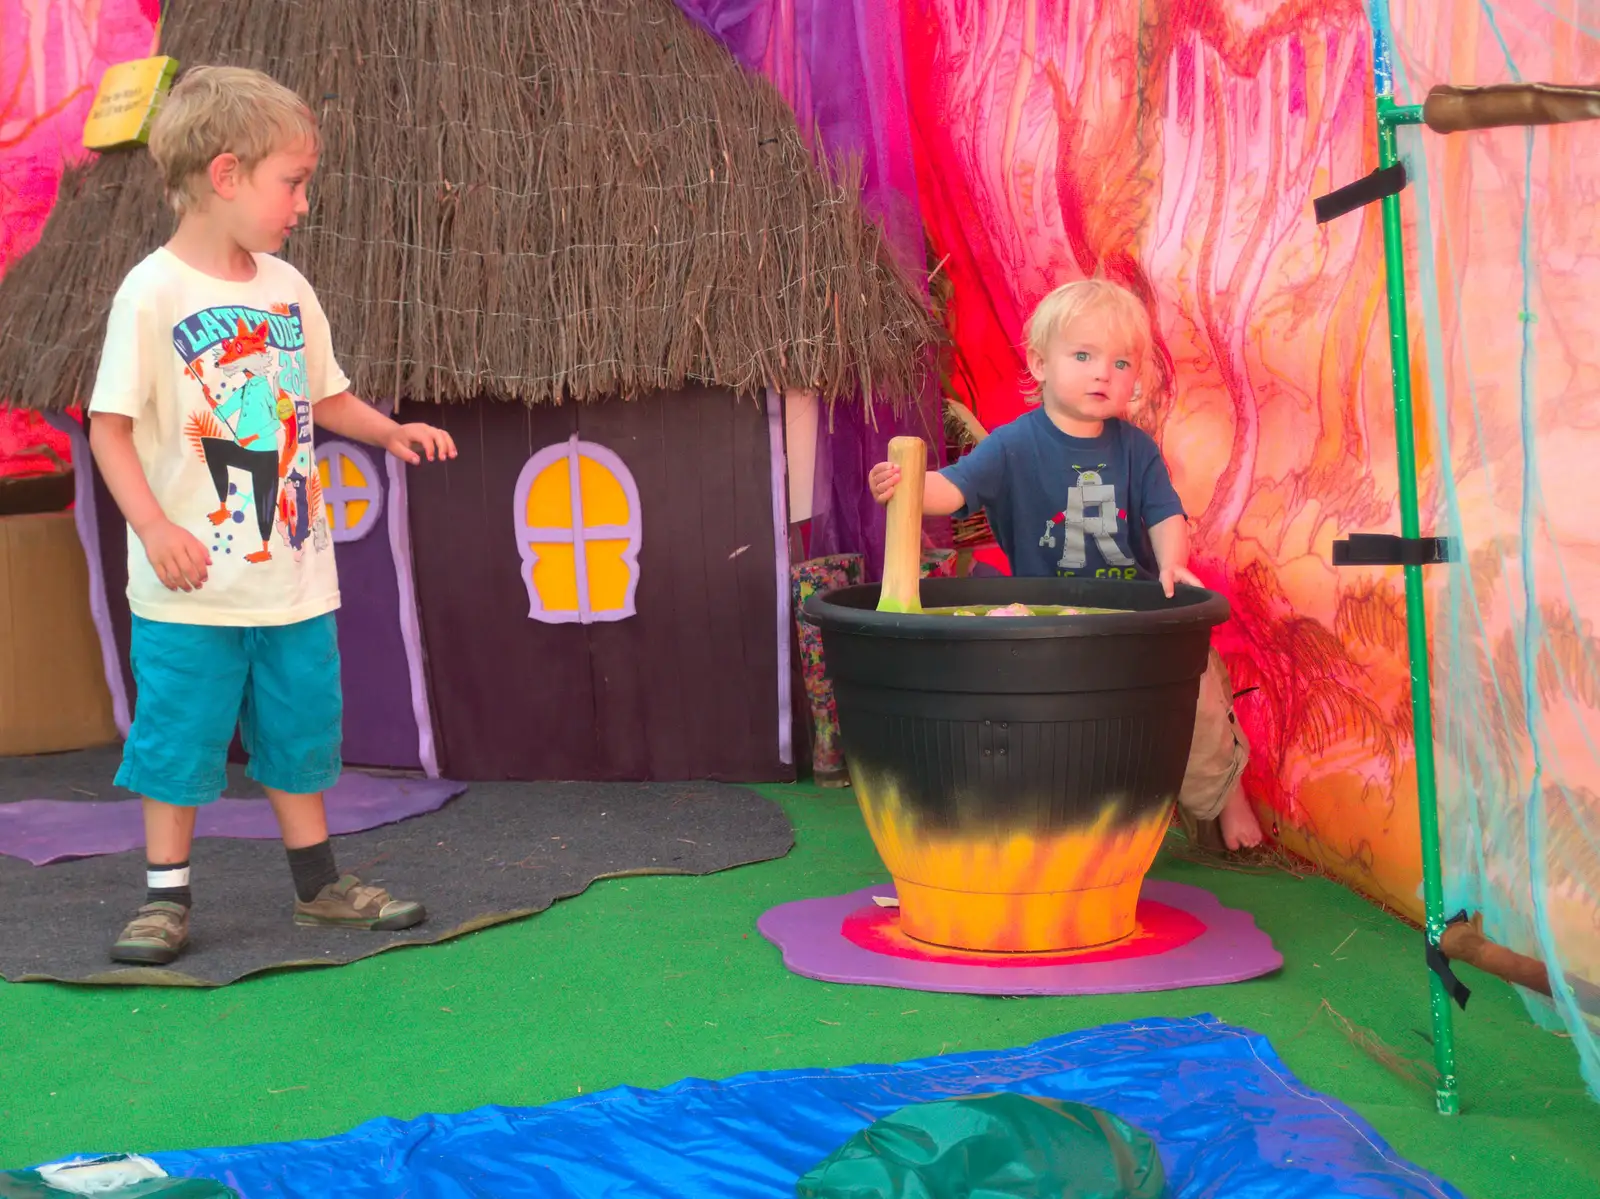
(217, 356)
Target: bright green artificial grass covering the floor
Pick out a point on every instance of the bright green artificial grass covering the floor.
(649, 980)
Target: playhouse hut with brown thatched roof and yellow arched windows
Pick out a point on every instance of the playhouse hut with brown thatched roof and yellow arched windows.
(543, 201)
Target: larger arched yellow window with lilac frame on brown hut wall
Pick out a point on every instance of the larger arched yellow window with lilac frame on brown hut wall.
(578, 532)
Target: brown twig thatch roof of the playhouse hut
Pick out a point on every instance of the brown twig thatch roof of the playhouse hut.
(521, 199)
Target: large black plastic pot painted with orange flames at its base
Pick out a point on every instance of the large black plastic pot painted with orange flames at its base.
(1018, 772)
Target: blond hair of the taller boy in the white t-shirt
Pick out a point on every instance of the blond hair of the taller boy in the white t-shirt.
(217, 111)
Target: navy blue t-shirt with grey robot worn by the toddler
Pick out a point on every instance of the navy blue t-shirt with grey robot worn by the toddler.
(1065, 505)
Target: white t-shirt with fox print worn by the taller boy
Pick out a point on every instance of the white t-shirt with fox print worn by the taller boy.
(220, 380)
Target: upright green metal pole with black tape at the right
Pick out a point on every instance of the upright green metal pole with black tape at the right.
(1390, 116)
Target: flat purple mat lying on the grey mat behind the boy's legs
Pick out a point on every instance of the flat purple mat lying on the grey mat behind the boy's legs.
(55, 830)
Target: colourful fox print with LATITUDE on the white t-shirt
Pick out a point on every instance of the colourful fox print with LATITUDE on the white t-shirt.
(255, 435)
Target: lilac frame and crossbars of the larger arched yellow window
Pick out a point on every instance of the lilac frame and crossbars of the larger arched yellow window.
(572, 451)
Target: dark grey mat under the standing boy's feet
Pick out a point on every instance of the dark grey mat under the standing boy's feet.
(498, 852)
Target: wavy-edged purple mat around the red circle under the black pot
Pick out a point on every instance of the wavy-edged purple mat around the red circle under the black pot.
(1230, 950)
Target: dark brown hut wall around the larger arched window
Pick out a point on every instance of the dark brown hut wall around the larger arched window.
(682, 688)
